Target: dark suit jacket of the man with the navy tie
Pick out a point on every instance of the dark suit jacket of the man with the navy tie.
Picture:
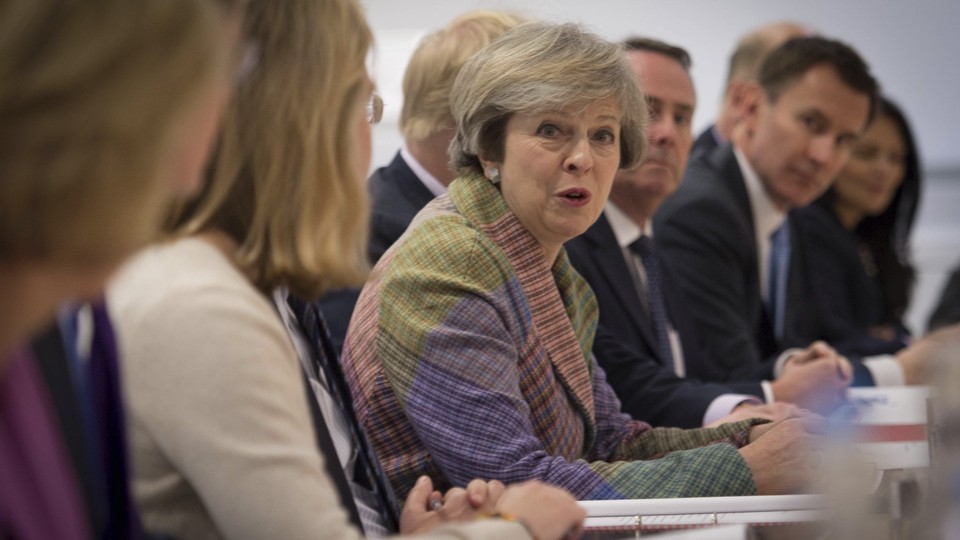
(646, 384)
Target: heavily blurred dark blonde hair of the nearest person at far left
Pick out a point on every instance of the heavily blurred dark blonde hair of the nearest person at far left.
(90, 96)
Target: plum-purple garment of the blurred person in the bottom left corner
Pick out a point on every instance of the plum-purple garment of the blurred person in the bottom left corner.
(38, 494)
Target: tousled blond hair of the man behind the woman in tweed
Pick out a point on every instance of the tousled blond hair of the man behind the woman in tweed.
(434, 66)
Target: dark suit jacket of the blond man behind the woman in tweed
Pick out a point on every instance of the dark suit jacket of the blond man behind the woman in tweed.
(396, 196)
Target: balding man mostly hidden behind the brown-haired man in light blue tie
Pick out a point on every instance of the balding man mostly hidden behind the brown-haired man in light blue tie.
(744, 63)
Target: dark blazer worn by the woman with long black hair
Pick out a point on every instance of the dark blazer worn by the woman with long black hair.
(850, 300)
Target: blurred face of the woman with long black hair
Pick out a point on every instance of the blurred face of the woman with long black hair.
(868, 183)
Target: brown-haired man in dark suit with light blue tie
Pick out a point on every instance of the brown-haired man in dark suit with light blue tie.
(725, 234)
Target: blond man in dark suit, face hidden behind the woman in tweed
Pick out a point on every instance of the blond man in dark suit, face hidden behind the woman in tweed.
(421, 169)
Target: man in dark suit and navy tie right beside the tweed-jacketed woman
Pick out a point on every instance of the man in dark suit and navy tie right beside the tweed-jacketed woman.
(626, 292)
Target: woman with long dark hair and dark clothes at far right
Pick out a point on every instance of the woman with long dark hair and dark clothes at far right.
(857, 235)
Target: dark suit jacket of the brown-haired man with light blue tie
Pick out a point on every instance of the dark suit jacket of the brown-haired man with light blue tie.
(705, 233)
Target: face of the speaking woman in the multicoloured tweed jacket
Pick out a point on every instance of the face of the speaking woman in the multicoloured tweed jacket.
(558, 168)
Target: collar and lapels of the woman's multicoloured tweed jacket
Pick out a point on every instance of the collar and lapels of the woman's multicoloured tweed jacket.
(562, 306)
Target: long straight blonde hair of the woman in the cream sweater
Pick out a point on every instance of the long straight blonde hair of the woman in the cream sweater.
(282, 182)
